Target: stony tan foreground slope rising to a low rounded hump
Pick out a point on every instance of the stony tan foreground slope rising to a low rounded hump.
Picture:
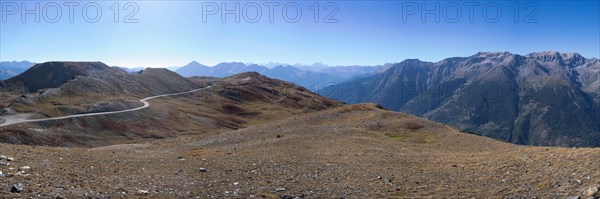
(353, 151)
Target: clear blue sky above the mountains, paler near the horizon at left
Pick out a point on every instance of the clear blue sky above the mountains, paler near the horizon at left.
(173, 33)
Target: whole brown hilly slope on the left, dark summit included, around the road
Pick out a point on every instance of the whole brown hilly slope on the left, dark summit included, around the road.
(58, 89)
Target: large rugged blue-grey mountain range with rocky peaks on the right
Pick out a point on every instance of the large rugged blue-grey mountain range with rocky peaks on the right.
(545, 98)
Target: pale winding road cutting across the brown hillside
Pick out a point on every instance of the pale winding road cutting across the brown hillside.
(16, 120)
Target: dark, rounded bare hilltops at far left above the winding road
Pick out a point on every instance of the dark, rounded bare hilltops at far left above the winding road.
(97, 77)
